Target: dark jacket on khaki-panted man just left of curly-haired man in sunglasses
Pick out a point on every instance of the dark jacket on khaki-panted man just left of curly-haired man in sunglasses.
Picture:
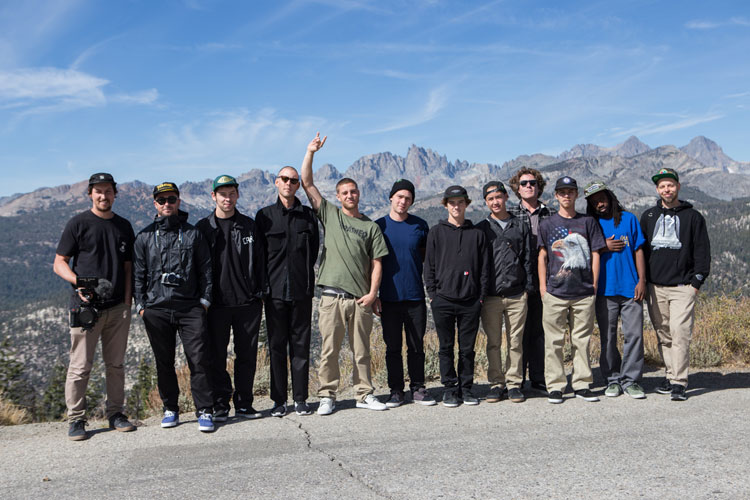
(510, 260)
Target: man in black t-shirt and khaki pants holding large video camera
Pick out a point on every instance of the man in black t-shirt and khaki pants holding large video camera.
(100, 243)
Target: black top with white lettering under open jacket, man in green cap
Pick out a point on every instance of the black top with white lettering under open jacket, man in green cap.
(230, 287)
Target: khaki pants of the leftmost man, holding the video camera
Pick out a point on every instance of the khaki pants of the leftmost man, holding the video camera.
(112, 327)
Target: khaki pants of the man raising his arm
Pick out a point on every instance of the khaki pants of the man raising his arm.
(335, 317)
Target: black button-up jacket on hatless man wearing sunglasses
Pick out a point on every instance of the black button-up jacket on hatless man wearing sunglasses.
(292, 241)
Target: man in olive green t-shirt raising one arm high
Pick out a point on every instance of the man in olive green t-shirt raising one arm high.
(349, 276)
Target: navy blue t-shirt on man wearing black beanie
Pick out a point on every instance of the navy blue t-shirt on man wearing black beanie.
(402, 267)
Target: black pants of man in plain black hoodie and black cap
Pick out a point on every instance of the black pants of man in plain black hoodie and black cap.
(451, 315)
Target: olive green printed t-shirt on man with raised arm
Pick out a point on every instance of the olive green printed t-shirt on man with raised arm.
(349, 245)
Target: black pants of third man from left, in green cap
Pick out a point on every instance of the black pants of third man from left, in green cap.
(244, 322)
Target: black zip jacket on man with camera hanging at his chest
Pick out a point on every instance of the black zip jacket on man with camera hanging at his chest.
(171, 245)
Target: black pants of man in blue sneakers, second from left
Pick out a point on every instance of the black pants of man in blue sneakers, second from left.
(162, 325)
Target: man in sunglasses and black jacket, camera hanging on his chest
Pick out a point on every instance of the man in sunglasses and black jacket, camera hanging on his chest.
(172, 276)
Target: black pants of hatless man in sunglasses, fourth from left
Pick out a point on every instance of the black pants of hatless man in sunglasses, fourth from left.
(288, 325)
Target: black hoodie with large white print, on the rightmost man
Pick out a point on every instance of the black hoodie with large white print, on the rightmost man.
(677, 248)
